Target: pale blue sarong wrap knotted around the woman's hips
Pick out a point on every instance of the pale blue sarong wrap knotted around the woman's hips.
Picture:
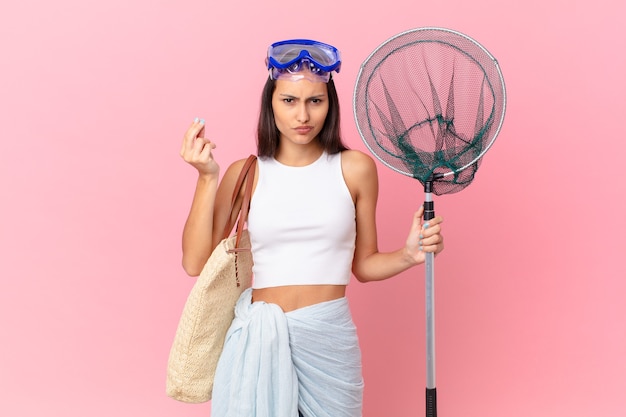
(275, 364)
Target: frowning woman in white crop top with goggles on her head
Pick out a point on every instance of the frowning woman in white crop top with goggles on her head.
(292, 348)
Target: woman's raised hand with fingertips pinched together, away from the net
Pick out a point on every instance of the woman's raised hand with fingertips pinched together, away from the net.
(196, 150)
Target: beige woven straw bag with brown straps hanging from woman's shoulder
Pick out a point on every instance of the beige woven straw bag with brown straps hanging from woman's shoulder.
(210, 307)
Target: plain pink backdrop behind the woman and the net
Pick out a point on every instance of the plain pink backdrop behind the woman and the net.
(95, 97)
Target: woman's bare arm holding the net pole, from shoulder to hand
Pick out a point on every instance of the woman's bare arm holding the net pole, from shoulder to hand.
(369, 264)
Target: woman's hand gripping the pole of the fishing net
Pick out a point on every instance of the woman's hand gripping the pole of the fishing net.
(424, 237)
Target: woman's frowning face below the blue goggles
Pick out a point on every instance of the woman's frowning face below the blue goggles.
(300, 109)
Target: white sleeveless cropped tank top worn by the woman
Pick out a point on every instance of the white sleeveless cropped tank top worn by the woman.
(302, 224)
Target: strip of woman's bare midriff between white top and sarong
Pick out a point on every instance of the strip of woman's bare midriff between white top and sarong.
(293, 297)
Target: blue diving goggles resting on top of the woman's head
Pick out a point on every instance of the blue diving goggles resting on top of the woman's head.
(302, 58)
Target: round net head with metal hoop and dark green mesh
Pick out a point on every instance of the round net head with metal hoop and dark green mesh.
(429, 103)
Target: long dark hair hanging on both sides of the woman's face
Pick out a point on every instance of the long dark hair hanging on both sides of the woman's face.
(267, 132)
